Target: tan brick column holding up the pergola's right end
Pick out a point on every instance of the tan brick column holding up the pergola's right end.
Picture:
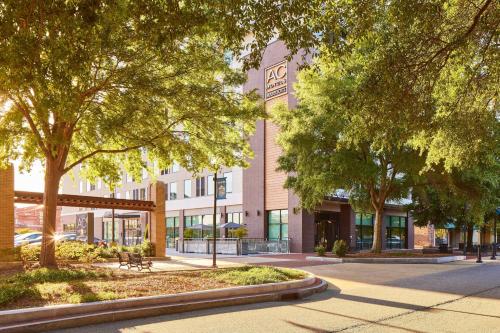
(158, 228)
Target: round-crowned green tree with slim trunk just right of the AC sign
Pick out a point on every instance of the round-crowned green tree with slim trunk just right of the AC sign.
(349, 132)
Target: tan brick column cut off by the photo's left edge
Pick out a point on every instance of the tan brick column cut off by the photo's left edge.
(6, 209)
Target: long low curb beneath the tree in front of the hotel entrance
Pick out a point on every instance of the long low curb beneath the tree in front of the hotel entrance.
(421, 260)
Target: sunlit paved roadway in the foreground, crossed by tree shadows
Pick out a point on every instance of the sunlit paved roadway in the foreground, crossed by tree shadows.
(456, 297)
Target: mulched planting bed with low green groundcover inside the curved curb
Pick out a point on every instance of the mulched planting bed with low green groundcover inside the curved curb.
(80, 284)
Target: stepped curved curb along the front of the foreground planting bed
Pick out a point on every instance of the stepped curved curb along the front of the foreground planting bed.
(65, 316)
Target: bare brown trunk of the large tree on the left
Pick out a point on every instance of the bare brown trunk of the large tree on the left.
(52, 178)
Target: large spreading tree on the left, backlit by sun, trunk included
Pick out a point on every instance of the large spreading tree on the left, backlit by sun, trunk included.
(106, 83)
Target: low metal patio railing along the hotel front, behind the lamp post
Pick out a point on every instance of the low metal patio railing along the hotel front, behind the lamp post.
(233, 246)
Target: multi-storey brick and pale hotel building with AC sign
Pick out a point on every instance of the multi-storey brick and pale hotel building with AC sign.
(256, 197)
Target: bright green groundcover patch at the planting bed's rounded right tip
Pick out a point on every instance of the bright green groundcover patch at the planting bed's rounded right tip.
(250, 275)
